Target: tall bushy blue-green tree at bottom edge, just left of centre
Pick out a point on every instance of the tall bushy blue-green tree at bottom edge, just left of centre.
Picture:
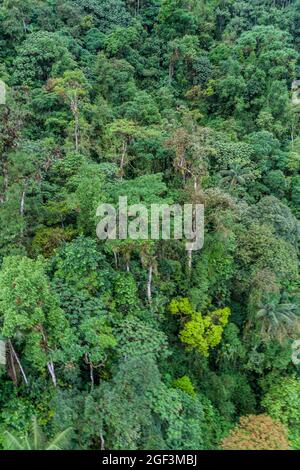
(118, 414)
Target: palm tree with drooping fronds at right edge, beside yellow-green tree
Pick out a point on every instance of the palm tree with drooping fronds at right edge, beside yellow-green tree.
(279, 320)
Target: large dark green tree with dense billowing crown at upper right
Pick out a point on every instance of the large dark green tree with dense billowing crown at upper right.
(252, 74)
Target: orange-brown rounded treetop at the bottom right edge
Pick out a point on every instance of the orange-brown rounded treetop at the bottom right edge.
(257, 433)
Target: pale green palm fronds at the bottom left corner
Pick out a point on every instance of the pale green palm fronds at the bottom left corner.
(36, 440)
